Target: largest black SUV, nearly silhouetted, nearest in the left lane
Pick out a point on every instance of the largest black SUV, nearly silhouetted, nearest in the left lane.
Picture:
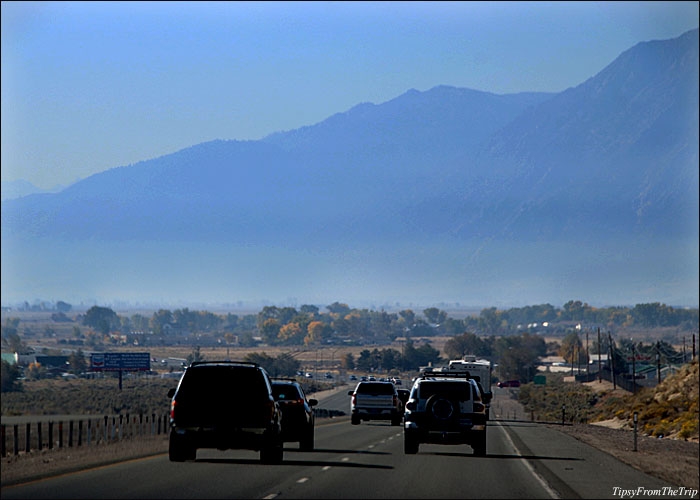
(225, 405)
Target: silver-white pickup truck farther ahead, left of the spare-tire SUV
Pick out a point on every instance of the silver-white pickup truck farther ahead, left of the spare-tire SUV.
(375, 401)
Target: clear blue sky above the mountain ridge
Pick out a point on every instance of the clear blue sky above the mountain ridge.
(91, 86)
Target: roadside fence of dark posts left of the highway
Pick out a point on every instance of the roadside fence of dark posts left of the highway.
(81, 432)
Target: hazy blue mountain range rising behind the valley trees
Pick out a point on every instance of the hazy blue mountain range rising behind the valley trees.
(449, 194)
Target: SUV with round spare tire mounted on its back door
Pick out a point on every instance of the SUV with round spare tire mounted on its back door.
(445, 408)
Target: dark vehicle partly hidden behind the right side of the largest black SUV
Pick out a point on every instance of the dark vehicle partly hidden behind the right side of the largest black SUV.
(298, 413)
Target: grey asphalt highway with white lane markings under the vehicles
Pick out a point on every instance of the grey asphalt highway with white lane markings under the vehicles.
(524, 460)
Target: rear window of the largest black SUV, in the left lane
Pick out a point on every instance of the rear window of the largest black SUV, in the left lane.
(206, 383)
